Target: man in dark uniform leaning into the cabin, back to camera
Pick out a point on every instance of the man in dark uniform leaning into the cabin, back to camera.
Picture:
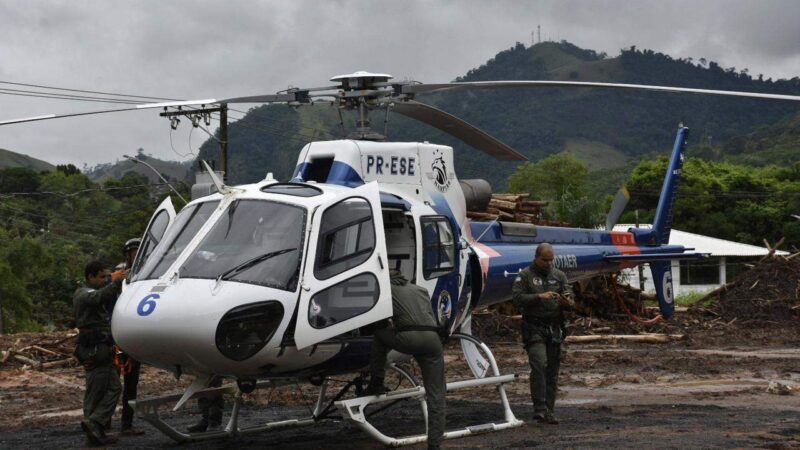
(415, 333)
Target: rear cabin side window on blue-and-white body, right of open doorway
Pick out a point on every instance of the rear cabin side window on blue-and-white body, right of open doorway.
(438, 247)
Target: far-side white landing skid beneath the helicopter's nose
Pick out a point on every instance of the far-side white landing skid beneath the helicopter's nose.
(148, 410)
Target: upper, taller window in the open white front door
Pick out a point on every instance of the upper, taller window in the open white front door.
(347, 237)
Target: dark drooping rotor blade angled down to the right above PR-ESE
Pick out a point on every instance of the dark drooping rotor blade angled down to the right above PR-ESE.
(458, 128)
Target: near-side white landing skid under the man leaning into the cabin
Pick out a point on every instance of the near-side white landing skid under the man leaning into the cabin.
(354, 409)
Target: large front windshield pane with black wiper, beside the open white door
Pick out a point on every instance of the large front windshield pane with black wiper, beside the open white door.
(253, 241)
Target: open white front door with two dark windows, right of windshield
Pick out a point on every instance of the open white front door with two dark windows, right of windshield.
(346, 277)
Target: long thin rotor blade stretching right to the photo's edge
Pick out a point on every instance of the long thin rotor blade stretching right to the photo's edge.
(440, 87)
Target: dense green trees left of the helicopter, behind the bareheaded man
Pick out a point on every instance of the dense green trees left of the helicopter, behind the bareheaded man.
(51, 225)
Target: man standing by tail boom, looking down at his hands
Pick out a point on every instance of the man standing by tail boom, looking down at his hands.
(542, 293)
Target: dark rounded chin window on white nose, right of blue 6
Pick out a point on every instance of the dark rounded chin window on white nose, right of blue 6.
(245, 330)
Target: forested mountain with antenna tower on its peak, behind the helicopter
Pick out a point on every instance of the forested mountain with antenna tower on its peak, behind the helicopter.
(538, 122)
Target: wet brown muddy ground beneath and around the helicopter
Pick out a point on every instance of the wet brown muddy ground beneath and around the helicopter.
(708, 390)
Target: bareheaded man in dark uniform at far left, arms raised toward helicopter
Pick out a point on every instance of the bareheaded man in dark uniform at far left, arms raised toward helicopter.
(94, 349)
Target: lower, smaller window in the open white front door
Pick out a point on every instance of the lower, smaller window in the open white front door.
(343, 301)
